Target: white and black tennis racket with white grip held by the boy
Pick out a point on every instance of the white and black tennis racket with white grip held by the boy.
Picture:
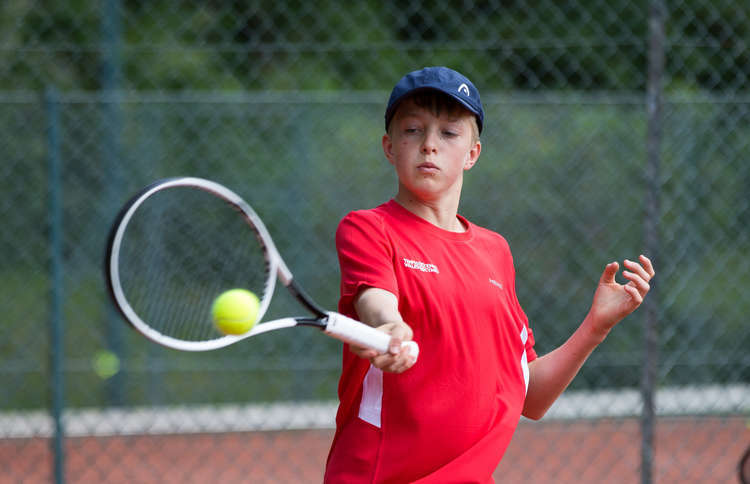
(179, 243)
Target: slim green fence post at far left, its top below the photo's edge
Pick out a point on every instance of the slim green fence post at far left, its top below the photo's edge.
(56, 283)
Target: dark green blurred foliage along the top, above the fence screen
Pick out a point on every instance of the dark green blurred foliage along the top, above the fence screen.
(265, 44)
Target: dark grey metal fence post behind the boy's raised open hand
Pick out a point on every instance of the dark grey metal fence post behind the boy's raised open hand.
(651, 228)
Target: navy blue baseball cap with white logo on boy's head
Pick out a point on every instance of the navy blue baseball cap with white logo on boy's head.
(442, 79)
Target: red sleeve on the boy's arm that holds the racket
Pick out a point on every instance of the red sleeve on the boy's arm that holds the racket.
(365, 256)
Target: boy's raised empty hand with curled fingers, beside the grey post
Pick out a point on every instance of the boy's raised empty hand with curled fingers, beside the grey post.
(613, 301)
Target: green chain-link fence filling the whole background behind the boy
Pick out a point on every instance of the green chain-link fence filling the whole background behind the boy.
(613, 128)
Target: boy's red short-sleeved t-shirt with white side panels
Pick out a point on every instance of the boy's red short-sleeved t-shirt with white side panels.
(450, 417)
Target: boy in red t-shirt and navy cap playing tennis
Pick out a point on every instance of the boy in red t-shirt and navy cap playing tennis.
(416, 269)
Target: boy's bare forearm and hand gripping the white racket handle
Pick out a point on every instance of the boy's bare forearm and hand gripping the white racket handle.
(379, 308)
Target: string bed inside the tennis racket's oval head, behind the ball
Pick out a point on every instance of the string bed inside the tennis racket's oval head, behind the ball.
(181, 249)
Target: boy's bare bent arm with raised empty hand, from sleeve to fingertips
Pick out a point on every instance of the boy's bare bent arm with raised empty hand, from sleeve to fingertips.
(550, 374)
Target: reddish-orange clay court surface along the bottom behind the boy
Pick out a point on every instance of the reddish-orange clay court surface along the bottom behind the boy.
(704, 450)
